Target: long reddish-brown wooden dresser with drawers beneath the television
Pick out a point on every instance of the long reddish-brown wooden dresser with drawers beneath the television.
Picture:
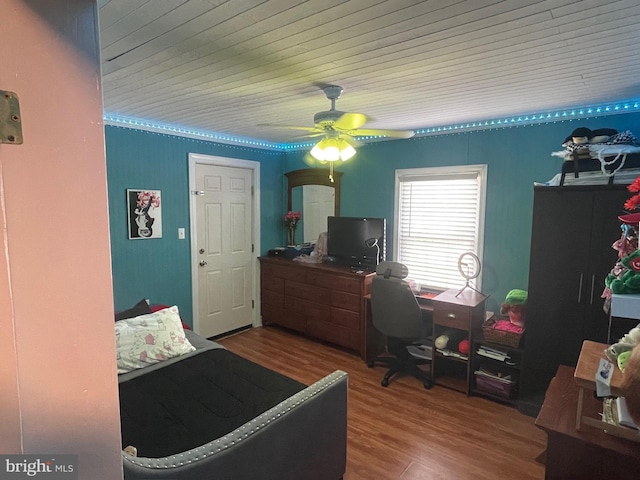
(325, 302)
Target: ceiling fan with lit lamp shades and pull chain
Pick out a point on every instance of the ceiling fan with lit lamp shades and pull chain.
(341, 131)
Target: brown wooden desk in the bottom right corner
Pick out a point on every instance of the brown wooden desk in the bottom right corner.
(586, 453)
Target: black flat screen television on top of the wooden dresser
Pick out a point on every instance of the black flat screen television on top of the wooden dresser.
(357, 242)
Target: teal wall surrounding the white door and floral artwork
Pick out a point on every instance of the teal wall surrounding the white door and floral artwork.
(160, 269)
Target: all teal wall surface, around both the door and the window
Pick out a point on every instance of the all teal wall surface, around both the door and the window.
(159, 269)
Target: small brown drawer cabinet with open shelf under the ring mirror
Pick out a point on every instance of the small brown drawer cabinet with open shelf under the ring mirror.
(462, 311)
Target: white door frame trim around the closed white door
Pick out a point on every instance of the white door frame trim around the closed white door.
(195, 158)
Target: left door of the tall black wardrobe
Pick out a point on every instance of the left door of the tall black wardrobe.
(558, 272)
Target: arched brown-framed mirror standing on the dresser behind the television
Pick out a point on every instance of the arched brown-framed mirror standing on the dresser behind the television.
(311, 192)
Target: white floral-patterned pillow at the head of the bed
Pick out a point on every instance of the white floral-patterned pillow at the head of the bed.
(151, 338)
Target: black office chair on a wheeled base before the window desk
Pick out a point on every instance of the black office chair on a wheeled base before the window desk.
(397, 315)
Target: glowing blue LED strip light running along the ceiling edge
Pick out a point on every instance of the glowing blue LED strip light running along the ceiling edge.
(505, 122)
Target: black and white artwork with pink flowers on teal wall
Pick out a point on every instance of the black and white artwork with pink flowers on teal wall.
(144, 219)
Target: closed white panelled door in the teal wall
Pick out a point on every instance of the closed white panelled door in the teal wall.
(223, 241)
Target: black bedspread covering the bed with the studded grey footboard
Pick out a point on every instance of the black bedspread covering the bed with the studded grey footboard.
(197, 400)
